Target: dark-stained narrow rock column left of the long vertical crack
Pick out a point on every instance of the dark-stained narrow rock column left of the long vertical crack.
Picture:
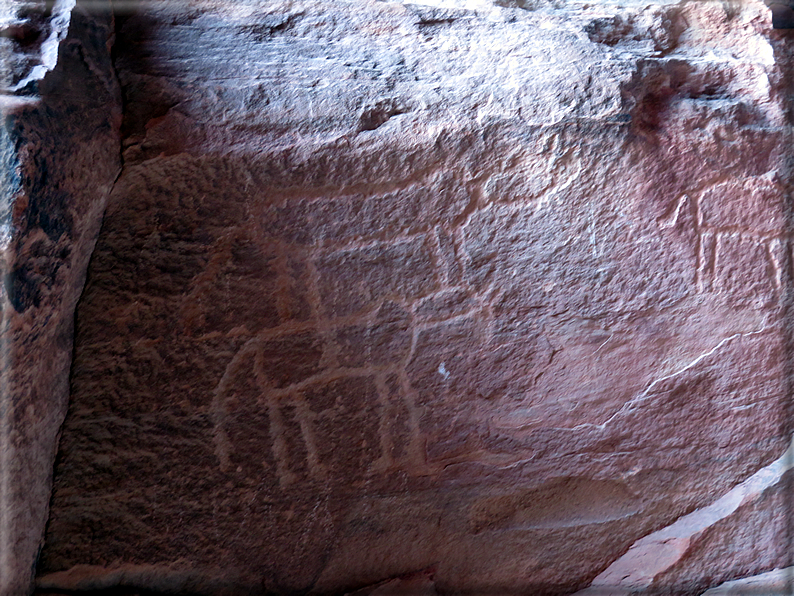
(59, 150)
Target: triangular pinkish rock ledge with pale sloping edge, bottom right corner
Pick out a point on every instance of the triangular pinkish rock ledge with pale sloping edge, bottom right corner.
(743, 530)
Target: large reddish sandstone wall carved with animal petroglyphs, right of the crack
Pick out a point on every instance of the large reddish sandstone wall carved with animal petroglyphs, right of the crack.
(460, 298)
